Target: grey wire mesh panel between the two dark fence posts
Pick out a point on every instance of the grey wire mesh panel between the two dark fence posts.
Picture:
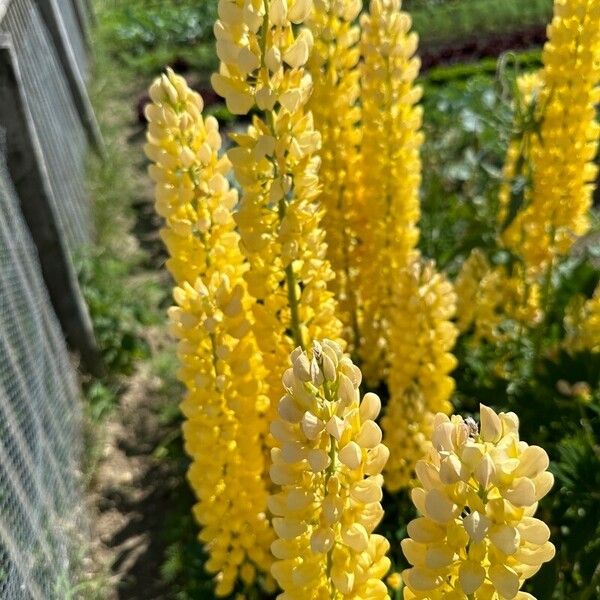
(62, 137)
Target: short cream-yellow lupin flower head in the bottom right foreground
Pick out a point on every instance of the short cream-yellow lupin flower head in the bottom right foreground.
(479, 488)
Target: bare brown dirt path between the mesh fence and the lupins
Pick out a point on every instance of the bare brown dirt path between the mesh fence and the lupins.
(134, 488)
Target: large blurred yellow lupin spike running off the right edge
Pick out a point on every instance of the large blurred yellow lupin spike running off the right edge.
(560, 154)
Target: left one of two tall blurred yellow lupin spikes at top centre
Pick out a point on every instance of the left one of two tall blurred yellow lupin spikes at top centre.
(333, 65)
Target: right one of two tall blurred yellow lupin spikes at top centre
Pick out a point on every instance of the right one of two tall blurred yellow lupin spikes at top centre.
(391, 139)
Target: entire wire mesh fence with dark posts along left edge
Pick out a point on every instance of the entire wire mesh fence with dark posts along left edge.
(42, 517)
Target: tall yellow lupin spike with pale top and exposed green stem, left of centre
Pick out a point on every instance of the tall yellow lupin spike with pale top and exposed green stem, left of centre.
(263, 56)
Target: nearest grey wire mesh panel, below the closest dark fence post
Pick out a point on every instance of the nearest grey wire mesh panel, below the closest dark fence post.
(41, 509)
